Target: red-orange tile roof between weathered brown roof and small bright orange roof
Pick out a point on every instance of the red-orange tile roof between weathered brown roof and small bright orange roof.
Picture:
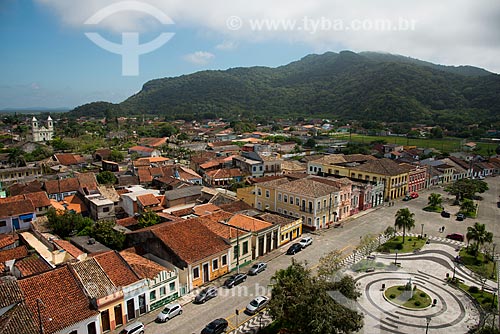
(116, 268)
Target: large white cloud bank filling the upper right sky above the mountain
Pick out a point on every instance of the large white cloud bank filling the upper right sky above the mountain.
(447, 31)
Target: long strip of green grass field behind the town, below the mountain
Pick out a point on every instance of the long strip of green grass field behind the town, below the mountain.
(448, 144)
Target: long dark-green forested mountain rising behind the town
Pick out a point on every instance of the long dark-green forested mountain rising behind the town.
(370, 86)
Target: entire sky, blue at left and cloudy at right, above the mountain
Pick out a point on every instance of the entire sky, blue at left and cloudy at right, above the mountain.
(63, 53)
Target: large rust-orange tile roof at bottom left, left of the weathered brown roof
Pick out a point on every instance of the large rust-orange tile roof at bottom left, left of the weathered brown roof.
(62, 299)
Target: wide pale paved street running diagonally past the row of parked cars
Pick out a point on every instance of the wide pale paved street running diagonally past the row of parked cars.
(374, 221)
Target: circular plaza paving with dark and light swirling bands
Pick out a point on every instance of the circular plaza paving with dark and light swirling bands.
(454, 311)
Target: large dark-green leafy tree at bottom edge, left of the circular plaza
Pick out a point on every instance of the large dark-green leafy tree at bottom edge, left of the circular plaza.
(304, 304)
